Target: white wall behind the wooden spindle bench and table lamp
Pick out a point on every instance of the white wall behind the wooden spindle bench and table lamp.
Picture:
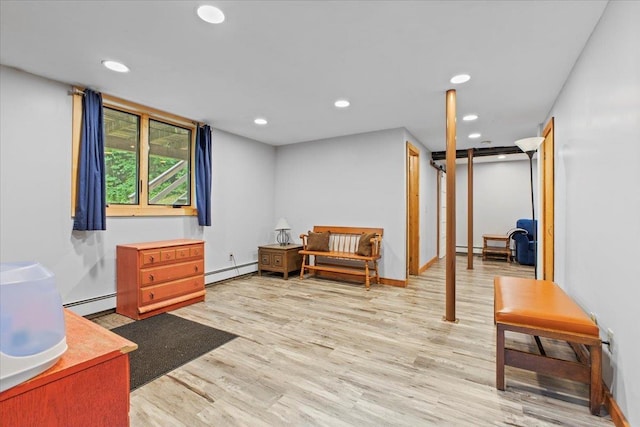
(355, 180)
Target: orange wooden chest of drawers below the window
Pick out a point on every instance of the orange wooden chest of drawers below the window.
(155, 277)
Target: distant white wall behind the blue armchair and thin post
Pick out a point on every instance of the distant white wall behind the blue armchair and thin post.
(501, 196)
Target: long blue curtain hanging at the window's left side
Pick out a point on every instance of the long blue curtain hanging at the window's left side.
(91, 194)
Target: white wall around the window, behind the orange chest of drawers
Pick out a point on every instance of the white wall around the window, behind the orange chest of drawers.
(35, 216)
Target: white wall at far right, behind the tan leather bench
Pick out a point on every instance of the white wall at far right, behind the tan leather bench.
(597, 143)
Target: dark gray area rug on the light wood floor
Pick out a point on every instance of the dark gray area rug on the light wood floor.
(166, 342)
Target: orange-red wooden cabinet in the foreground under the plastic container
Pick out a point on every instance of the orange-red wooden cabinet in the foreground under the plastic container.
(88, 386)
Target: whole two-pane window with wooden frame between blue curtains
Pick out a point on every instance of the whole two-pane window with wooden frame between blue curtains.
(149, 158)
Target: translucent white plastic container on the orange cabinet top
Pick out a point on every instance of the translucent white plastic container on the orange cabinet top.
(32, 331)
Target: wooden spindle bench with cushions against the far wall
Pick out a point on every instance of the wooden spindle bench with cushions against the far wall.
(342, 250)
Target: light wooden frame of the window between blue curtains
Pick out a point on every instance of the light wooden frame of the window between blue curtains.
(143, 208)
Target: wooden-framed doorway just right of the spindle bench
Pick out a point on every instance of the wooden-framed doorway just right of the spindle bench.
(413, 210)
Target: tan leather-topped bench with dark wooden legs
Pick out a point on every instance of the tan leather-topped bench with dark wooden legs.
(542, 308)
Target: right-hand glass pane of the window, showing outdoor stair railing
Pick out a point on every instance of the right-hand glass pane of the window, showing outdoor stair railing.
(169, 164)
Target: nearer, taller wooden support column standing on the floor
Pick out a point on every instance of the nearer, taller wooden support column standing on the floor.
(450, 314)
